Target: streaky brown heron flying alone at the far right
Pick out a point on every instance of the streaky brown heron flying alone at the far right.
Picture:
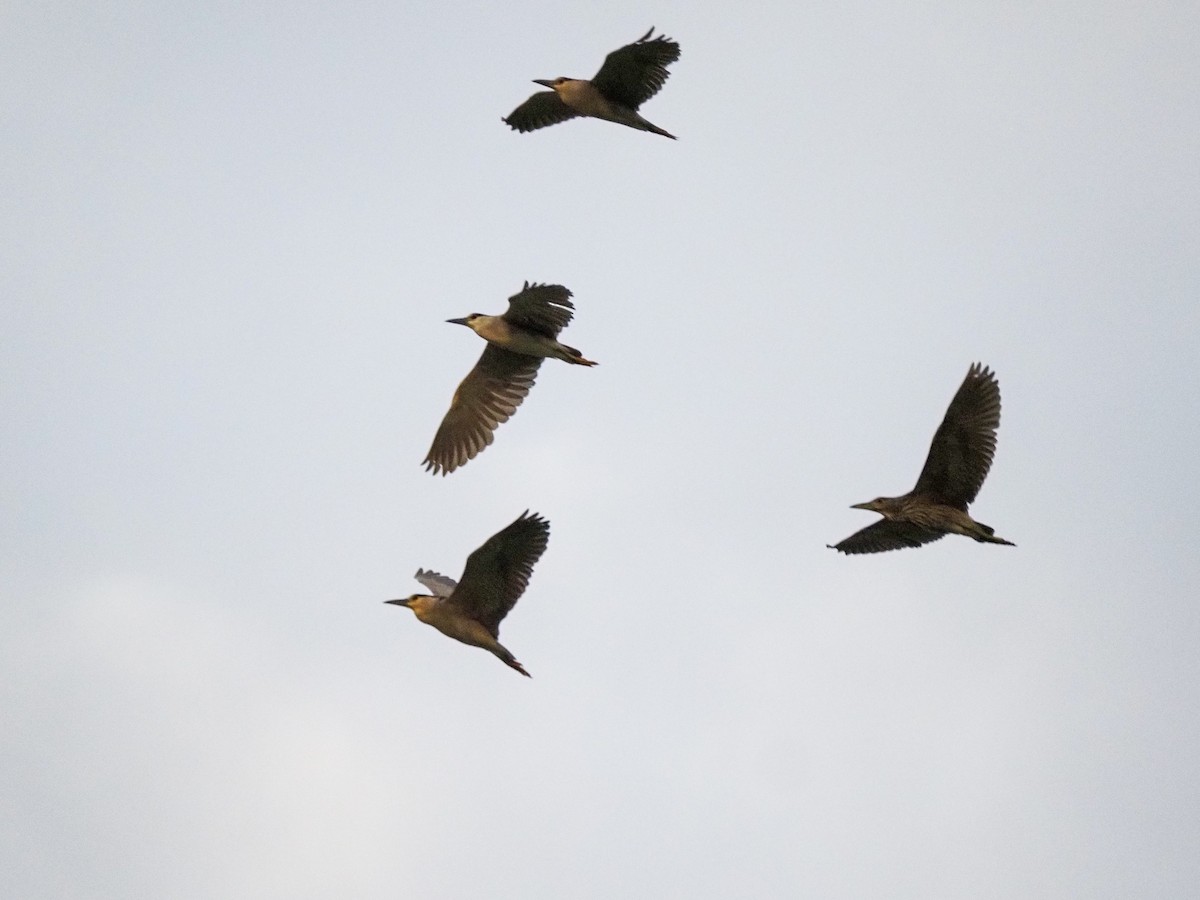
(957, 465)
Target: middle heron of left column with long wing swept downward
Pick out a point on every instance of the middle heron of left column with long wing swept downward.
(518, 343)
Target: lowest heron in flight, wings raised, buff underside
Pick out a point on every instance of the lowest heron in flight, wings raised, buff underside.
(496, 577)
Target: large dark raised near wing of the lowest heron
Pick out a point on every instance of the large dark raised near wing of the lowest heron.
(499, 573)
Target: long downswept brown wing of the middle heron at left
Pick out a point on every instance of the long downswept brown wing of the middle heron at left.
(488, 397)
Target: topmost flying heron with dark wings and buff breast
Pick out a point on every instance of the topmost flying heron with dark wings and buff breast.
(628, 79)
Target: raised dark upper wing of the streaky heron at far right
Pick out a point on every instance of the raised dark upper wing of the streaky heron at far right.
(965, 442)
